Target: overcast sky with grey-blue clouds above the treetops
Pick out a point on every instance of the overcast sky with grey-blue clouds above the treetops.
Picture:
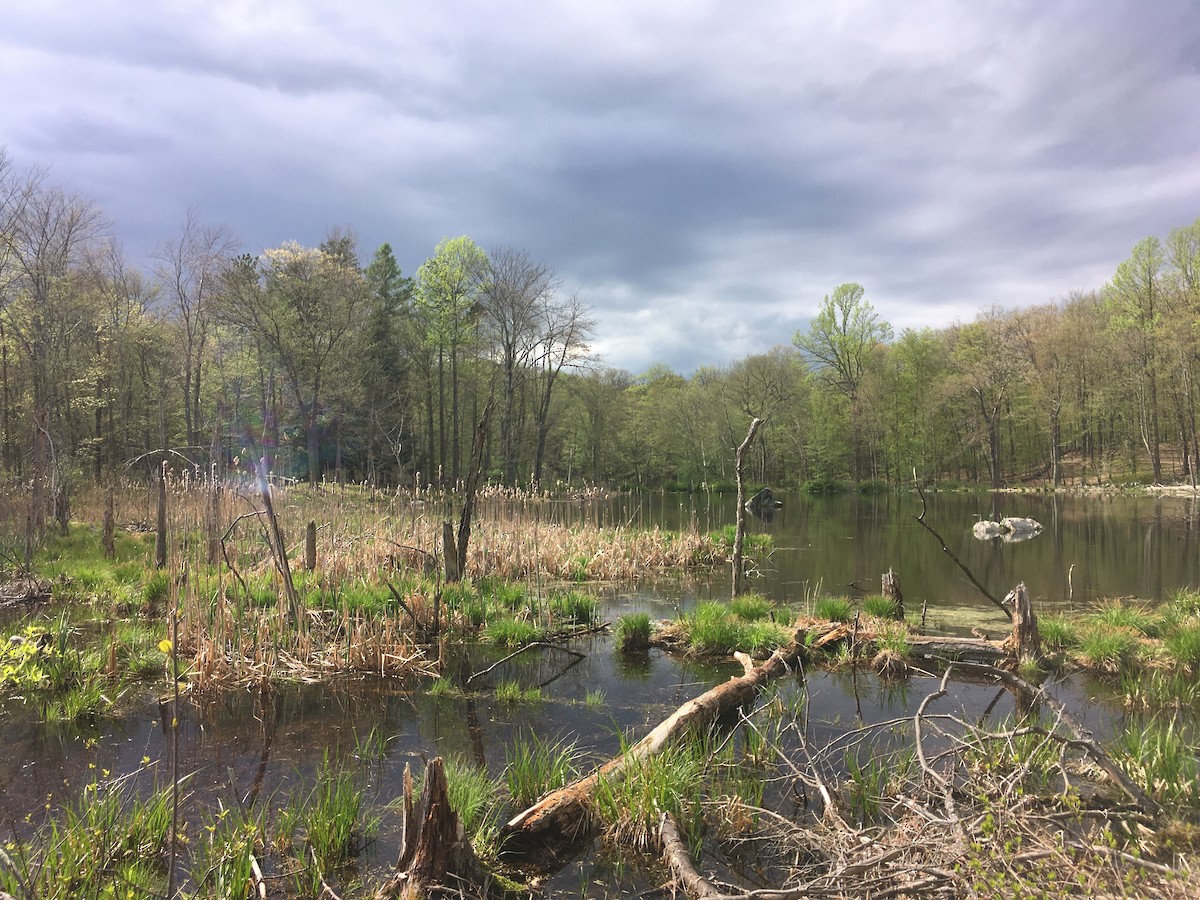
(701, 173)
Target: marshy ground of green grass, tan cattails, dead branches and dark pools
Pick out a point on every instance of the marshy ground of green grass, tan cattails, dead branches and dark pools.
(867, 758)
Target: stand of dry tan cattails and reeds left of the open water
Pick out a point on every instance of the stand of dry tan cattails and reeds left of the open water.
(367, 541)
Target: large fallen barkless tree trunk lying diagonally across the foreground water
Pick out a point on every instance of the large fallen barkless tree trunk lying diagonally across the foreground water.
(563, 819)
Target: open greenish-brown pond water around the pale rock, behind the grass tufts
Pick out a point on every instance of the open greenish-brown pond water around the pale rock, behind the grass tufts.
(1093, 548)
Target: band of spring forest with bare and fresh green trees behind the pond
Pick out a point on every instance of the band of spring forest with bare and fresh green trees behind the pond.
(340, 367)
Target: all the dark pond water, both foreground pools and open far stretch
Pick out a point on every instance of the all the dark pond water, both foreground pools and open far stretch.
(262, 747)
